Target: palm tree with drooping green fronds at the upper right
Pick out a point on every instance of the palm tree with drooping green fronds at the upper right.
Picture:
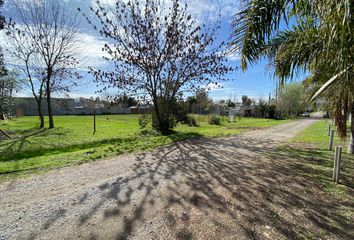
(319, 40)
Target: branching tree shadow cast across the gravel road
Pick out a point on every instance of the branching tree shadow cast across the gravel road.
(215, 188)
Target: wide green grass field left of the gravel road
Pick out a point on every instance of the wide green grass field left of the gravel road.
(73, 142)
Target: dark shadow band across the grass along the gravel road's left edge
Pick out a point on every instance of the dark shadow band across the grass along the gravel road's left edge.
(14, 150)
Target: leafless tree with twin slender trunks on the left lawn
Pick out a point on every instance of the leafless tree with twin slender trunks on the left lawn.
(45, 40)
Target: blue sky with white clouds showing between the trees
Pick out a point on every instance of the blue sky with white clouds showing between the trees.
(257, 82)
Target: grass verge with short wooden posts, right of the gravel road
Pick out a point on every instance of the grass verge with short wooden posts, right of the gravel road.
(307, 155)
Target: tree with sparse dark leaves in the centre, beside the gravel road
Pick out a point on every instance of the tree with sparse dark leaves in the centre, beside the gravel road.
(158, 51)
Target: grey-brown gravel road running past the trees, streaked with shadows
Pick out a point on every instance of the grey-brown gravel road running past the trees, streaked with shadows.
(223, 188)
